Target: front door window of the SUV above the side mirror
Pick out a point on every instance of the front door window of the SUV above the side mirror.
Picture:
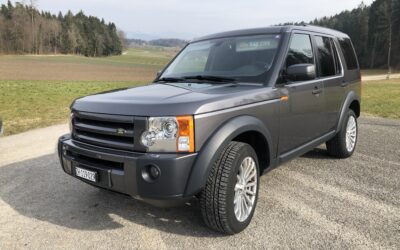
(300, 50)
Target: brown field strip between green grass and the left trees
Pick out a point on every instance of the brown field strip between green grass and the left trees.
(134, 65)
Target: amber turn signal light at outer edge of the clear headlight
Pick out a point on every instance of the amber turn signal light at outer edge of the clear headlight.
(185, 140)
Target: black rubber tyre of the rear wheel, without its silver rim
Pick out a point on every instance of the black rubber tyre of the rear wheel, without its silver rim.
(337, 145)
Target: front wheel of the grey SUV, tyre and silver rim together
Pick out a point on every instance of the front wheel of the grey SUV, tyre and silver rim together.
(223, 188)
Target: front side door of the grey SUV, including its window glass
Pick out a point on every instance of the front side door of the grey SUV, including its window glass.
(302, 113)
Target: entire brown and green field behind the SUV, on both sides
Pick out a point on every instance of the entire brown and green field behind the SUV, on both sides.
(36, 91)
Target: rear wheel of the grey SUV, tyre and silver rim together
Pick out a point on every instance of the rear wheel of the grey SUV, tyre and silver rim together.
(338, 146)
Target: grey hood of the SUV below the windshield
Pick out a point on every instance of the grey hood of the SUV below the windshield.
(174, 99)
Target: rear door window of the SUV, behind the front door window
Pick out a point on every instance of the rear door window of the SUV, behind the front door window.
(325, 56)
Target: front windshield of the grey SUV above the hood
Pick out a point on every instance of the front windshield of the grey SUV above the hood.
(245, 58)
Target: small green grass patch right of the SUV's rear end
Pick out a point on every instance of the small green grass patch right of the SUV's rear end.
(381, 98)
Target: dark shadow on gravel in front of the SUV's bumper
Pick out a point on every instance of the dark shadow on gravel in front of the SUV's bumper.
(39, 189)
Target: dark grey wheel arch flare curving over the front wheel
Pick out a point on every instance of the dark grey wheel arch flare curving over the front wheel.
(237, 128)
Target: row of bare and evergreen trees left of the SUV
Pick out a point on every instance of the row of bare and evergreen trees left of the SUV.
(25, 29)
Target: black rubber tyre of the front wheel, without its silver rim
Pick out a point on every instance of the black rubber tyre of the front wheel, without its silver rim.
(217, 198)
